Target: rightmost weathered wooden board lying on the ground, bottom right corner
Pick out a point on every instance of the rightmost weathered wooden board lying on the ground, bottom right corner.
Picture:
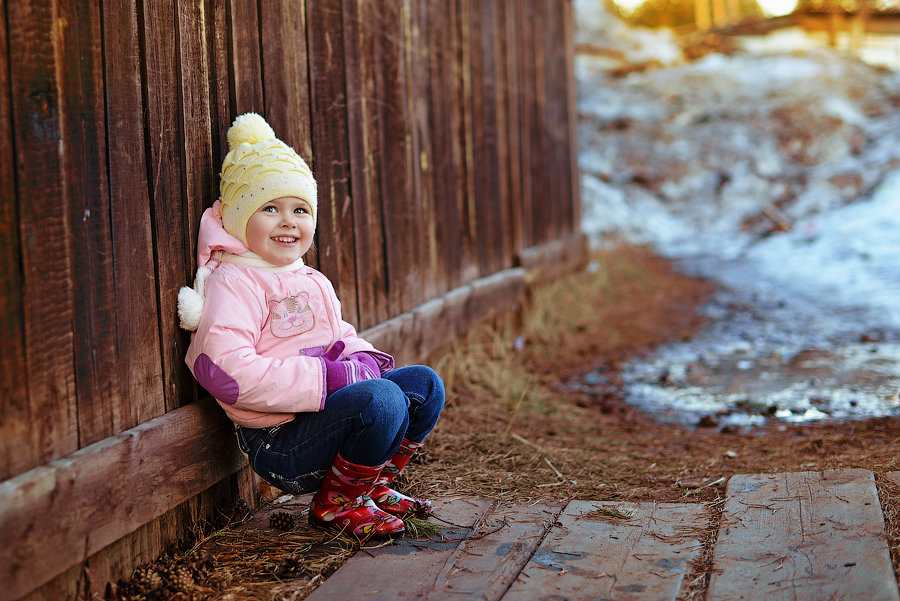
(802, 536)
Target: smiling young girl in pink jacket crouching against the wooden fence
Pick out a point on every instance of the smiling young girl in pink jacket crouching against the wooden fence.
(315, 406)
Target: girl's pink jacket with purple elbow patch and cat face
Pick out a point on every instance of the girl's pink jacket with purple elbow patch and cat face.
(262, 331)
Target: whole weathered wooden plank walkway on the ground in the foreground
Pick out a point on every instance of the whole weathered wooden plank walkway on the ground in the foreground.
(800, 536)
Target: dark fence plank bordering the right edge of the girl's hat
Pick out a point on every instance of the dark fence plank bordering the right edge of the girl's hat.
(328, 103)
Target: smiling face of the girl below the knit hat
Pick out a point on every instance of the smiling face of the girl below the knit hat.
(281, 231)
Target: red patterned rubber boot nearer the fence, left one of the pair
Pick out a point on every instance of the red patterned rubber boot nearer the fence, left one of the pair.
(343, 503)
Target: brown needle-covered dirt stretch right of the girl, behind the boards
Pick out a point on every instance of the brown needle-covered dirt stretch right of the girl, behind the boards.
(599, 446)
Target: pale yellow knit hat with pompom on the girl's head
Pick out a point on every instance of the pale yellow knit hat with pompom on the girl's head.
(258, 168)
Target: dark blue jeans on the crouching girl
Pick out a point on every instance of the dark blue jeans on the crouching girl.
(364, 423)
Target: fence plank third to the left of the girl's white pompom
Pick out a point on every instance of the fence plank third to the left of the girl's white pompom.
(84, 167)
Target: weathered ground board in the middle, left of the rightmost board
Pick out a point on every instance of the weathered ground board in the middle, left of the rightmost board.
(589, 555)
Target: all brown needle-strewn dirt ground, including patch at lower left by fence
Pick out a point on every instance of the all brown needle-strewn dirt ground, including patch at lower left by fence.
(514, 429)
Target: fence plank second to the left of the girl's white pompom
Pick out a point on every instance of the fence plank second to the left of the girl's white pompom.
(139, 369)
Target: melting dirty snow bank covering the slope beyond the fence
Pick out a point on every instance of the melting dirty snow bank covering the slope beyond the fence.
(710, 162)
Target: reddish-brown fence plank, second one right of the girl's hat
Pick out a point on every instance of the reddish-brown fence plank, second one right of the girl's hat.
(365, 165)
